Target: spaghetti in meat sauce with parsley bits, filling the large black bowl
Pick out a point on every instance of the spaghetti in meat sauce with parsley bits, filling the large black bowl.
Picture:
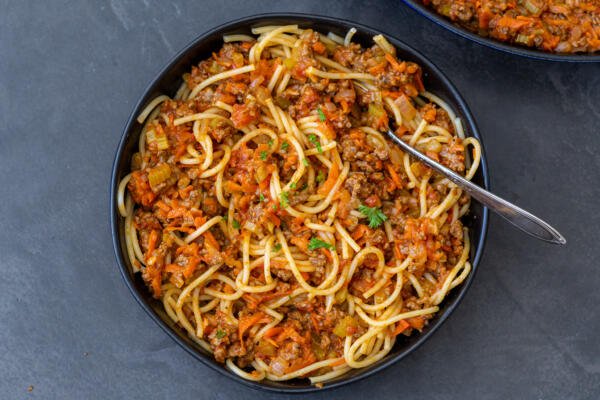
(274, 220)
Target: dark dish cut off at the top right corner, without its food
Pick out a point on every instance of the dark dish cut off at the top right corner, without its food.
(427, 12)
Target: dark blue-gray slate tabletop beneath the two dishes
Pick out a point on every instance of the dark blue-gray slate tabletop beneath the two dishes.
(70, 73)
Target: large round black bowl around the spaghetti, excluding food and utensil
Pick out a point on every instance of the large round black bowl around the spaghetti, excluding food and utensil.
(169, 79)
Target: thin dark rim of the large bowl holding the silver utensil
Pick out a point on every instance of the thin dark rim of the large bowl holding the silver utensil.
(114, 214)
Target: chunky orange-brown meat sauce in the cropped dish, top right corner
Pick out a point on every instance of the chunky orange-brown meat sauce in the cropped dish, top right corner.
(555, 26)
